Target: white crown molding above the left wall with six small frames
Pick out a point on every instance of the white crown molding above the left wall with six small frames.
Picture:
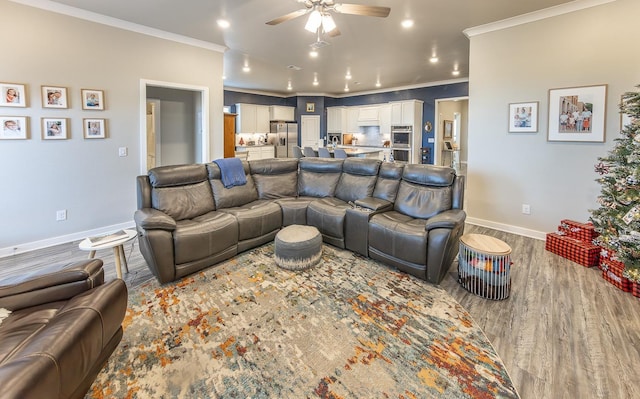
(118, 23)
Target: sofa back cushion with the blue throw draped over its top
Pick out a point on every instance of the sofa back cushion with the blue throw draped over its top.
(234, 196)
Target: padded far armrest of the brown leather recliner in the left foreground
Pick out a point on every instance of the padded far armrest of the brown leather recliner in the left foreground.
(50, 284)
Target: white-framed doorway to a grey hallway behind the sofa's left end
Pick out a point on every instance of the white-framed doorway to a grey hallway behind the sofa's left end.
(180, 125)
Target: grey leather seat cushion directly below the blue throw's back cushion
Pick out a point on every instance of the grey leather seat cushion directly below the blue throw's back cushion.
(256, 218)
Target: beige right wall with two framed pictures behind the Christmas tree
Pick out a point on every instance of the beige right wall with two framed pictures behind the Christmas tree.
(519, 64)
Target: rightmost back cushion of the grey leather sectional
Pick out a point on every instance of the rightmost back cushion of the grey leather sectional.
(425, 191)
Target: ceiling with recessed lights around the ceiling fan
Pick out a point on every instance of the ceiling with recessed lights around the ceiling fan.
(371, 48)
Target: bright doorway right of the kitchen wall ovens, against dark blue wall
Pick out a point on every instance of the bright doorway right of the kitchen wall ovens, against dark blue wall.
(452, 112)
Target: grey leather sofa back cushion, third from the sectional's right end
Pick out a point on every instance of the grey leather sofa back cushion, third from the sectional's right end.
(358, 178)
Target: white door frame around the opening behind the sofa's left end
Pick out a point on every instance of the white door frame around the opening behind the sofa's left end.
(202, 115)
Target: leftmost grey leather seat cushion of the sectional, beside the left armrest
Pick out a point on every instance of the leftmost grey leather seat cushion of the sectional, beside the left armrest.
(205, 235)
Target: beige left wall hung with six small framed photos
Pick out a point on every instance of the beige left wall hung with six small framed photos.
(85, 177)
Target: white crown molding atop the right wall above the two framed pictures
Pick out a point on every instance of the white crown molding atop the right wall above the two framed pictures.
(534, 16)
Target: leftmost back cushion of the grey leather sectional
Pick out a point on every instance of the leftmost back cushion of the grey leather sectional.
(181, 191)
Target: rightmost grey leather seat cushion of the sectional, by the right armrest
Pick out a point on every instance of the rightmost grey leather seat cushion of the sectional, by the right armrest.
(400, 236)
